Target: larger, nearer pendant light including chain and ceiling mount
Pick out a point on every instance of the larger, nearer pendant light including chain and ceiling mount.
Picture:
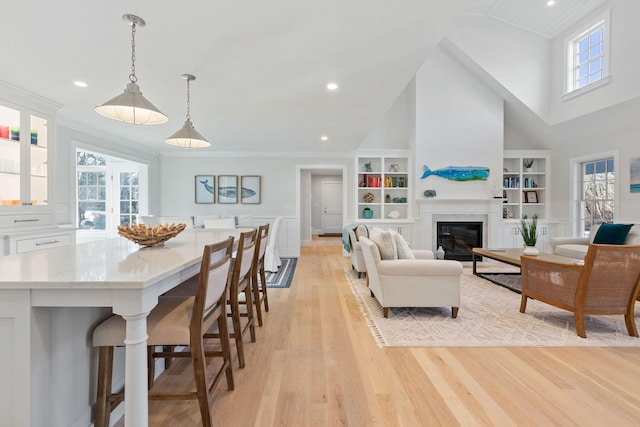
(130, 106)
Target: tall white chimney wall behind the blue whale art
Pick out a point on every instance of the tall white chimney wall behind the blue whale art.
(459, 122)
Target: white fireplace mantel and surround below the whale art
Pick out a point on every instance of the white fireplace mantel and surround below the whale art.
(487, 211)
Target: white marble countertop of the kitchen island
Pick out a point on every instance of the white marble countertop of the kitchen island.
(111, 263)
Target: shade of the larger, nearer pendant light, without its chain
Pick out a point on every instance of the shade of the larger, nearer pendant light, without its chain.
(131, 107)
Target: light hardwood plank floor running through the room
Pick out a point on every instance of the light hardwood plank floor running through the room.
(315, 364)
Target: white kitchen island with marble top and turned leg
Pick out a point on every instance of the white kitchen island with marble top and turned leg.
(113, 273)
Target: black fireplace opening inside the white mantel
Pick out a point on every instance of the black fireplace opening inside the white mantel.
(458, 239)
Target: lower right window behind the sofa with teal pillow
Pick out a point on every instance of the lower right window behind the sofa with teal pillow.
(597, 193)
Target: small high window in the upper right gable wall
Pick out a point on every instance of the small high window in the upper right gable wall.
(588, 58)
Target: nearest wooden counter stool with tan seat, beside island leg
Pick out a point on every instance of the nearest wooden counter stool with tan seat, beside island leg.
(177, 321)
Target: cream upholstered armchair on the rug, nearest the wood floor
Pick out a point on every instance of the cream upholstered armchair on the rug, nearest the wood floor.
(412, 282)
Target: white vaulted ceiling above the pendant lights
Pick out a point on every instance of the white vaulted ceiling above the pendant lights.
(261, 67)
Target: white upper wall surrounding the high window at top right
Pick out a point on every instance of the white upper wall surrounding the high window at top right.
(625, 33)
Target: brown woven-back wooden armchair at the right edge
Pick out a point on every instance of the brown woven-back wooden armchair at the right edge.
(607, 283)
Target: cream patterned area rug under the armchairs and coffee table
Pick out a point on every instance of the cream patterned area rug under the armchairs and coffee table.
(489, 316)
